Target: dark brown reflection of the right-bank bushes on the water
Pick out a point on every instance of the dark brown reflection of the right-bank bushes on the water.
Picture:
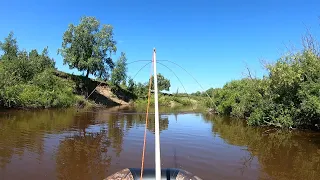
(282, 155)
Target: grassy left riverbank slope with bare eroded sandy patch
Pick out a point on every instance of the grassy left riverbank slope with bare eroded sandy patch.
(56, 89)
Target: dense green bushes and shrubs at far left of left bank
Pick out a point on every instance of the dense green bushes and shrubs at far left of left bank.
(28, 80)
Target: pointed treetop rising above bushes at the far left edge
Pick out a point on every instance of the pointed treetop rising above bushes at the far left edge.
(9, 47)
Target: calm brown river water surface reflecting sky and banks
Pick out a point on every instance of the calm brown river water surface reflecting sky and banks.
(92, 144)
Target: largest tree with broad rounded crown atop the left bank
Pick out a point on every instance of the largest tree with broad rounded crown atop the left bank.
(86, 47)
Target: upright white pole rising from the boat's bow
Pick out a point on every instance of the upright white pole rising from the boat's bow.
(157, 129)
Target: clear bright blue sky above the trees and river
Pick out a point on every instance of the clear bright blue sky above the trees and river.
(213, 40)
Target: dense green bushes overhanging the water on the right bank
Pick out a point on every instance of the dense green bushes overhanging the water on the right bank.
(288, 97)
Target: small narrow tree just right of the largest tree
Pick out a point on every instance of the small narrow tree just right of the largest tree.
(119, 73)
